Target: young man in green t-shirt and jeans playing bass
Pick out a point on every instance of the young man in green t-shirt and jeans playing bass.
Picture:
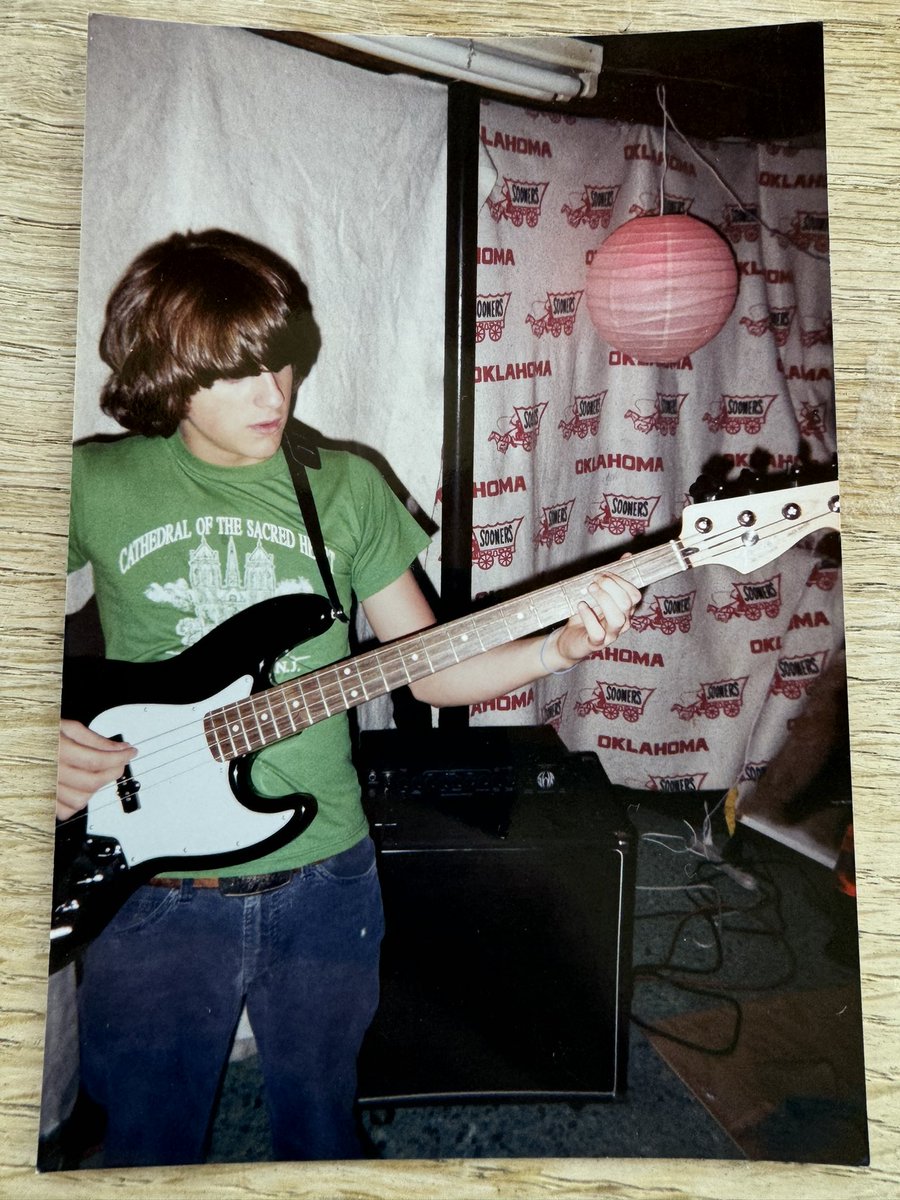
(189, 520)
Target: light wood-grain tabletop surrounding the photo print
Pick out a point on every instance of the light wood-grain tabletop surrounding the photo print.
(43, 69)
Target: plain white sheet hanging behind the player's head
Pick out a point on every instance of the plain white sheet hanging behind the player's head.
(339, 170)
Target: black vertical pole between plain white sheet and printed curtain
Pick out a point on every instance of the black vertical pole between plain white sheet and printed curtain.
(463, 160)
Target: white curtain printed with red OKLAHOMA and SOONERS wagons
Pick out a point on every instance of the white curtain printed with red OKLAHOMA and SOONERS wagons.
(580, 451)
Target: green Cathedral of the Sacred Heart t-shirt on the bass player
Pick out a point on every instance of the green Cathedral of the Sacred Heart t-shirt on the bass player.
(178, 545)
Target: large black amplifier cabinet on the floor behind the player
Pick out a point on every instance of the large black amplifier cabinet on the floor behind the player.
(508, 873)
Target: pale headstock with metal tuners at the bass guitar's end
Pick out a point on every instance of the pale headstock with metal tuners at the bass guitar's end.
(747, 531)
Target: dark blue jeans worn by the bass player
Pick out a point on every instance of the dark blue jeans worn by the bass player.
(164, 988)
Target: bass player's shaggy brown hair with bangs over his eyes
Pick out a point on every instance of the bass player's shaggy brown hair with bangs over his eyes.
(194, 309)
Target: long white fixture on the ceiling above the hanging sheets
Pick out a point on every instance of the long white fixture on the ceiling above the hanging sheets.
(533, 68)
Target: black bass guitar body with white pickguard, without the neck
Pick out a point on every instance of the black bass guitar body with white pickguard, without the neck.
(182, 803)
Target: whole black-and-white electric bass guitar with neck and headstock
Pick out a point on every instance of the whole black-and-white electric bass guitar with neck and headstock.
(187, 801)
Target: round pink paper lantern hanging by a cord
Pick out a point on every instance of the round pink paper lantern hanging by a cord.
(662, 287)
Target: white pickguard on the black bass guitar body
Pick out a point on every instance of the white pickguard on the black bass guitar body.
(187, 805)
